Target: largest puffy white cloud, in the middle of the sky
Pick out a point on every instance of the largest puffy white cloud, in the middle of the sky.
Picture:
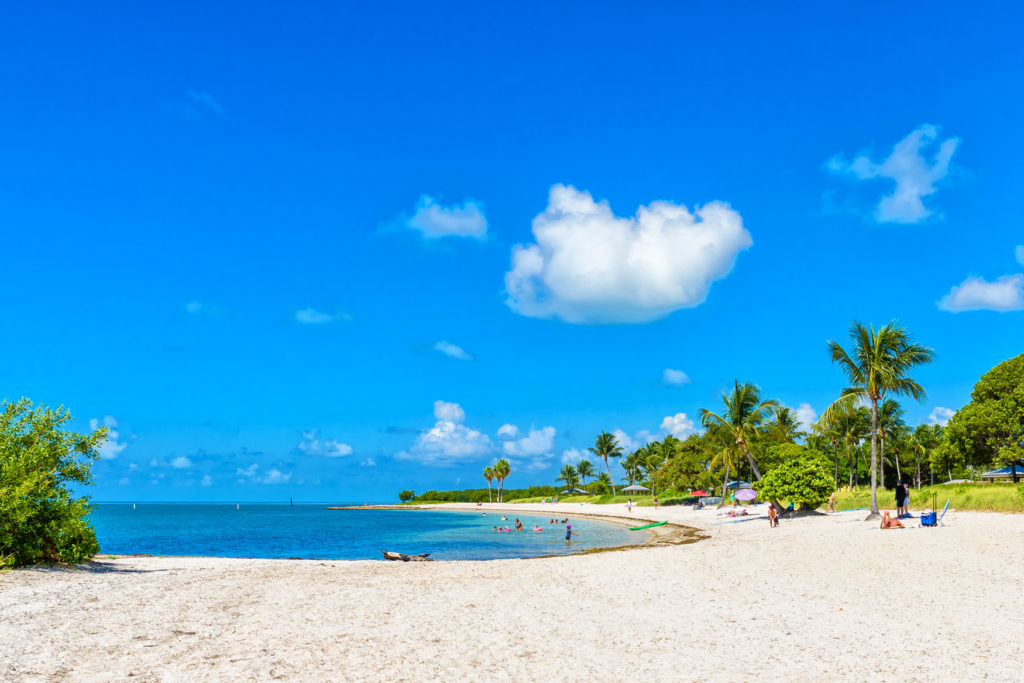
(589, 266)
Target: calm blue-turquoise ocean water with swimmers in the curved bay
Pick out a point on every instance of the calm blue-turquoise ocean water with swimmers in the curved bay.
(312, 532)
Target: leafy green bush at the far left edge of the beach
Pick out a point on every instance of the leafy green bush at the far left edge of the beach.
(41, 520)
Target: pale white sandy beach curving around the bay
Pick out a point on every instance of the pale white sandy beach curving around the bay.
(829, 597)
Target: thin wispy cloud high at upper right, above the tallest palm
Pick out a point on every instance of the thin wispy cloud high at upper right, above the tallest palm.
(914, 175)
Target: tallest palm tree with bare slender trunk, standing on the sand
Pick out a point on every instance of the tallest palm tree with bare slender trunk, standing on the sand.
(879, 366)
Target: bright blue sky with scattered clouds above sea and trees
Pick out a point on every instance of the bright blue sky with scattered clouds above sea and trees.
(331, 252)
